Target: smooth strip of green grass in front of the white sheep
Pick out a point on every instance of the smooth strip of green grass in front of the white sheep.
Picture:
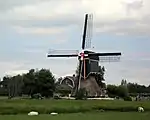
(81, 116)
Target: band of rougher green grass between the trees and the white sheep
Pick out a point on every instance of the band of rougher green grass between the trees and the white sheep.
(19, 106)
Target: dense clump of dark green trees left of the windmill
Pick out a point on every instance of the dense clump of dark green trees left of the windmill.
(40, 81)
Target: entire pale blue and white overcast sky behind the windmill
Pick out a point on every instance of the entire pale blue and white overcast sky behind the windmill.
(29, 28)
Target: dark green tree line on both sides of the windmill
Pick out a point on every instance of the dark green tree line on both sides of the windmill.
(43, 82)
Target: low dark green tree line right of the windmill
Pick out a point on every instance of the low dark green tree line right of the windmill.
(124, 90)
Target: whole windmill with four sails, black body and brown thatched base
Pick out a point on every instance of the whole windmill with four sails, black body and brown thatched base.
(88, 74)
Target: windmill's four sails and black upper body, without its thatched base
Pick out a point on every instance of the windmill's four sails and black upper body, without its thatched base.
(88, 60)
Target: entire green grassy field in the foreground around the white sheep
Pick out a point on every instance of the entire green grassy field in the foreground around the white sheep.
(17, 109)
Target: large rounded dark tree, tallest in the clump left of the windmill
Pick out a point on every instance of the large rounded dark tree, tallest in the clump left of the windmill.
(41, 81)
